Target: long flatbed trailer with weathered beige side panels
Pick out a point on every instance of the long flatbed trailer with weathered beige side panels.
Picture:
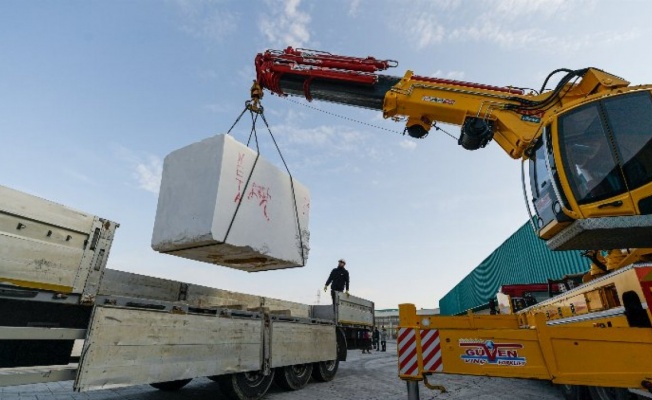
(55, 292)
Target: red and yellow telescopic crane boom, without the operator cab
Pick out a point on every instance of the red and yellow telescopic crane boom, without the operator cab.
(485, 112)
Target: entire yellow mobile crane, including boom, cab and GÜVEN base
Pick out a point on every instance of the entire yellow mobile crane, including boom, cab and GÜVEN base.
(588, 146)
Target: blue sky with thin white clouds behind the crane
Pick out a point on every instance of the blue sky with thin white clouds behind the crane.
(94, 94)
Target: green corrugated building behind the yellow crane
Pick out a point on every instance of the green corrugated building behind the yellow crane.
(522, 258)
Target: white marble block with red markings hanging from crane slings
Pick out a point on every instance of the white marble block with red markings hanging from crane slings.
(213, 208)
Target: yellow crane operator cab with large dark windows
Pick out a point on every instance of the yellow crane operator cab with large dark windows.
(591, 175)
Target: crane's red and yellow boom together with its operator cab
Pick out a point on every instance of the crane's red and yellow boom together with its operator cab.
(588, 115)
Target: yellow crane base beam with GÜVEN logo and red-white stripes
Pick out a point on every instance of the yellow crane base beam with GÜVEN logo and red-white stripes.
(564, 354)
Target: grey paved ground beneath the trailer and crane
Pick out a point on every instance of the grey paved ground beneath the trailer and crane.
(362, 377)
